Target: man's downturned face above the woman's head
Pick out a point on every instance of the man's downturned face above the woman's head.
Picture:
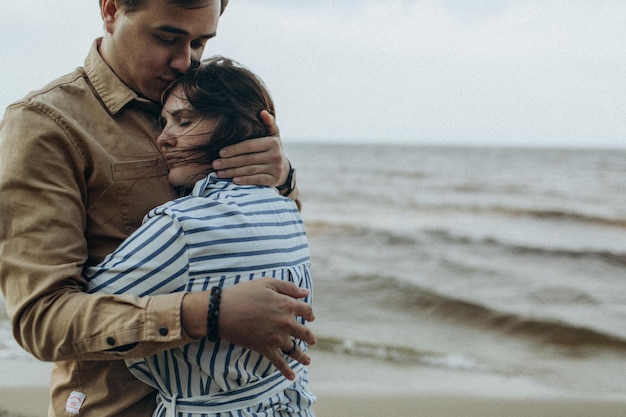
(150, 48)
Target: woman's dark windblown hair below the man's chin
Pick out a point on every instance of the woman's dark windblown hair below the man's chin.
(224, 90)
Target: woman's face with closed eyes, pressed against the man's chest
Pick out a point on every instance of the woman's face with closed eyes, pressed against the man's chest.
(183, 130)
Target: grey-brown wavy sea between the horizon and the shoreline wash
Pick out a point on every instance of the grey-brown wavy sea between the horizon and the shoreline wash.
(477, 260)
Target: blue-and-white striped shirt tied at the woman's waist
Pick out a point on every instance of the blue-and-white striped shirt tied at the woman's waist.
(219, 235)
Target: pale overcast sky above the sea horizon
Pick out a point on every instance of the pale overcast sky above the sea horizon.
(450, 71)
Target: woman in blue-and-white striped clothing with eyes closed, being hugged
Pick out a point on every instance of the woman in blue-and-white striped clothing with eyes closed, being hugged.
(216, 235)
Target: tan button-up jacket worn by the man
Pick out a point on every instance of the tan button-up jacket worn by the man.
(79, 169)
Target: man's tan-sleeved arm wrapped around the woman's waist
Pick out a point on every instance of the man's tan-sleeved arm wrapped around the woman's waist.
(43, 183)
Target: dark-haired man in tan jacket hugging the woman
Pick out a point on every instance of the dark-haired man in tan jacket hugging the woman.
(79, 168)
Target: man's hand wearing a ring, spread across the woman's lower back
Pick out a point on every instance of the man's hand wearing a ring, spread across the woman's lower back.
(260, 315)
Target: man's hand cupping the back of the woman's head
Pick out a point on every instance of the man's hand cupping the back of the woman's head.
(257, 161)
